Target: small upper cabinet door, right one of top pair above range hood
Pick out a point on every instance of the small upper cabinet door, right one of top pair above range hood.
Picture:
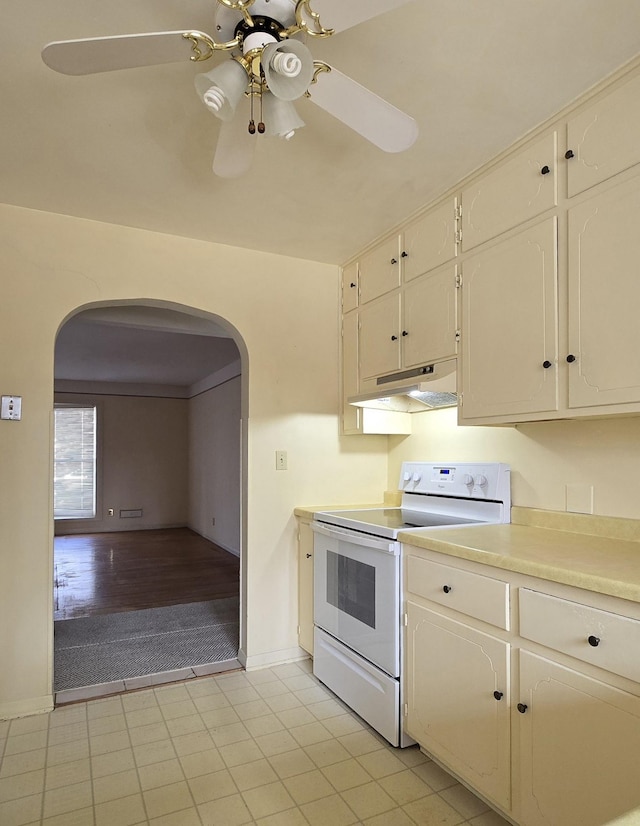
(429, 241)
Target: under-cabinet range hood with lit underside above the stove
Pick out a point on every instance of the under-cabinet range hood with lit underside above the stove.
(413, 391)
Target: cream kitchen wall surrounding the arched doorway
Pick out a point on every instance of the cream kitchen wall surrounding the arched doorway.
(284, 314)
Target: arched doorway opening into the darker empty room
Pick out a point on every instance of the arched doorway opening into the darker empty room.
(166, 382)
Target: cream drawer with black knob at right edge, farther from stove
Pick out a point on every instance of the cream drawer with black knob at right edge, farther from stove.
(589, 634)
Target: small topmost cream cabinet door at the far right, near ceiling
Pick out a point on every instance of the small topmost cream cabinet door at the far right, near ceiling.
(604, 138)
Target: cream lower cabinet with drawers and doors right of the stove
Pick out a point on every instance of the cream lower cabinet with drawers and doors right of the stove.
(540, 718)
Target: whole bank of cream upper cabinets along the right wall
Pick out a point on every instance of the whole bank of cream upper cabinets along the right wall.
(527, 272)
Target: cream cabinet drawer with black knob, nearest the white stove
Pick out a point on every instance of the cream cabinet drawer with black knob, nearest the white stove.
(472, 594)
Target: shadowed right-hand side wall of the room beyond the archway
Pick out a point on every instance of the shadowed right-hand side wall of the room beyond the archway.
(214, 464)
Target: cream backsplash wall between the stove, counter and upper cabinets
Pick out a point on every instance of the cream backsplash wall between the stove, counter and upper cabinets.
(545, 457)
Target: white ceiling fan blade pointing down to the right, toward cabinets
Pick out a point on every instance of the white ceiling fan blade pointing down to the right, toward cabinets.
(366, 113)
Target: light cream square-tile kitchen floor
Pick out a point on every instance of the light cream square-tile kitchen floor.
(266, 747)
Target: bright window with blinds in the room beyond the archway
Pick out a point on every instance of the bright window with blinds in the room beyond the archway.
(74, 475)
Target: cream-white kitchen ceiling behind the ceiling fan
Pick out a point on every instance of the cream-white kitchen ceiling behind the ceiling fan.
(135, 147)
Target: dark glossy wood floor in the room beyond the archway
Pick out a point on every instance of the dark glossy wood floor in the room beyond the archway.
(110, 572)
